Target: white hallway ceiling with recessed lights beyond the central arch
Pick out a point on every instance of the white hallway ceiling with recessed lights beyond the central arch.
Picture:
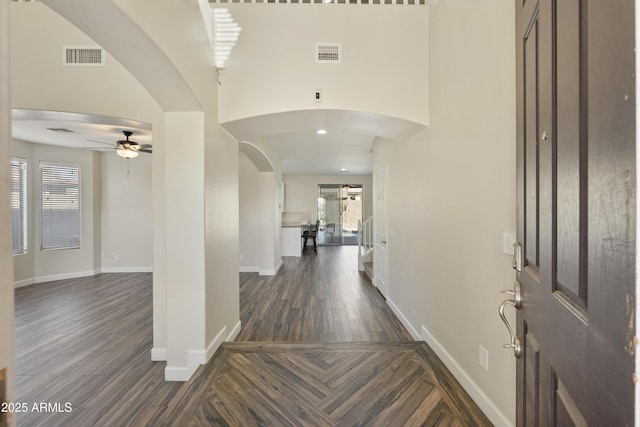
(348, 143)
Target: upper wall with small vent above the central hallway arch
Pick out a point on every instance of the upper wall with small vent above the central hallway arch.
(273, 69)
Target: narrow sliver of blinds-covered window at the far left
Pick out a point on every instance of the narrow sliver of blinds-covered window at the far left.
(18, 203)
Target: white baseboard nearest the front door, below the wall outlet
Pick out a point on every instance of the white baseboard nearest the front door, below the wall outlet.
(482, 400)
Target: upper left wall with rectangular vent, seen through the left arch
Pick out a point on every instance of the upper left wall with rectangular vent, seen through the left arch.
(37, 37)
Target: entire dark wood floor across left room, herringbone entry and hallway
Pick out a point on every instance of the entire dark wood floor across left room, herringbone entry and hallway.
(319, 346)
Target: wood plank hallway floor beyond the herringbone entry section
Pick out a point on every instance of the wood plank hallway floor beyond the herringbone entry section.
(315, 298)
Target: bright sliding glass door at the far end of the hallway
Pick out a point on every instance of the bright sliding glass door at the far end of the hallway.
(339, 210)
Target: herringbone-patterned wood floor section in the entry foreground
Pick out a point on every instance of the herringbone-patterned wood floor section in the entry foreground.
(334, 384)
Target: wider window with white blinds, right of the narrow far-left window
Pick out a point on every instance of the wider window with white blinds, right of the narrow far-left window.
(59, 206)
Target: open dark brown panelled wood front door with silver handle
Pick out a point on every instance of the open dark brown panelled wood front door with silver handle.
(576, 212)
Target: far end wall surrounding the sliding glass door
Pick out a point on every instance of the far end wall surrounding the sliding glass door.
(301, 192)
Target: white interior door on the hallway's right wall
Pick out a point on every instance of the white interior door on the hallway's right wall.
(380, 225)
